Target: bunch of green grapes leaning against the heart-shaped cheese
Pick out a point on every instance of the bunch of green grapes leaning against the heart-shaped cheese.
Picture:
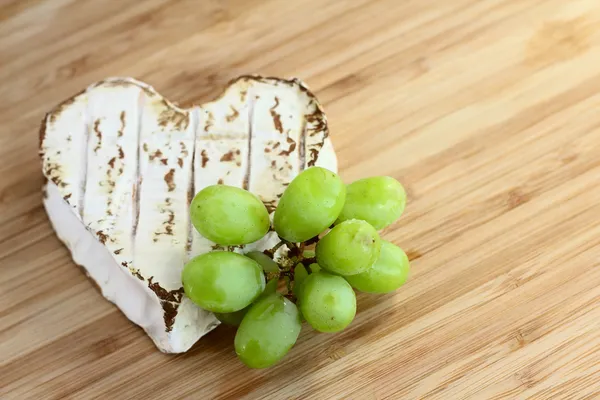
(244, 290)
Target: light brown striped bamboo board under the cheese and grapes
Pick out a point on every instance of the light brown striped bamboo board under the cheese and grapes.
(487, 111)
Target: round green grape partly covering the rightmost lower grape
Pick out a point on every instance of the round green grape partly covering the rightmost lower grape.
(349, 248)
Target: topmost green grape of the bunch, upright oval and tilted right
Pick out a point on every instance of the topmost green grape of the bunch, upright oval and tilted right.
(311, 203)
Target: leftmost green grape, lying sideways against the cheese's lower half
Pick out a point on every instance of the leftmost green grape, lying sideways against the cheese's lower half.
(222, 281)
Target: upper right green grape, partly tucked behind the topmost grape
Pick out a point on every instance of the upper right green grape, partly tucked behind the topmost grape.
(379, 200)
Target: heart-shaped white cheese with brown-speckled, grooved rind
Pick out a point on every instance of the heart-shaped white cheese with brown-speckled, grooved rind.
(123, 164)
